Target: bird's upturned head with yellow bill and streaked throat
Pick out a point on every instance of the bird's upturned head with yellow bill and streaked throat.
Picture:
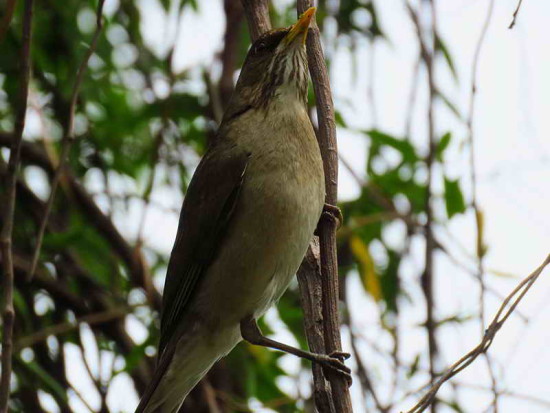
(275, 67)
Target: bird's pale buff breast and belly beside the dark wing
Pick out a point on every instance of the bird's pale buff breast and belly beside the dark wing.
(278, 209)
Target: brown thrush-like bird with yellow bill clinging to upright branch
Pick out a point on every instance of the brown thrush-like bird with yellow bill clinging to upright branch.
(247, 219)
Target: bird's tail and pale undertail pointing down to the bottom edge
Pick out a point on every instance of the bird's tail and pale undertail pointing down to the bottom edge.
(182, 365)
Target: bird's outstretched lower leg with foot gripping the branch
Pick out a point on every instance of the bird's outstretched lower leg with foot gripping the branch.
(251, 332)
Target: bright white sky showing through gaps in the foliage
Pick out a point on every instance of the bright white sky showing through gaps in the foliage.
(512, 146)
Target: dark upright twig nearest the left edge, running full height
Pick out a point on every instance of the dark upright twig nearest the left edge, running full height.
(8, 314)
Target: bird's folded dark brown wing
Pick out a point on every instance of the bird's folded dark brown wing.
(206, 212)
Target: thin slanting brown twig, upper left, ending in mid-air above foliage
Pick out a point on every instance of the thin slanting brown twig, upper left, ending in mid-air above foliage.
(67, 140)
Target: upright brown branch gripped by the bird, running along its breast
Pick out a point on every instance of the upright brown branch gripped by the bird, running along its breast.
(327, 228)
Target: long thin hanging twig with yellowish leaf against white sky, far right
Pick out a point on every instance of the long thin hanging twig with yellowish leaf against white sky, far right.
(475, 205)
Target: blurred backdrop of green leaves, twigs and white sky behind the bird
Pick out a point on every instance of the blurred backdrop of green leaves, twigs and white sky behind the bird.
(403, 75)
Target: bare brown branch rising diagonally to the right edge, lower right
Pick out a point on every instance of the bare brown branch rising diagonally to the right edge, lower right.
(504, 311)
